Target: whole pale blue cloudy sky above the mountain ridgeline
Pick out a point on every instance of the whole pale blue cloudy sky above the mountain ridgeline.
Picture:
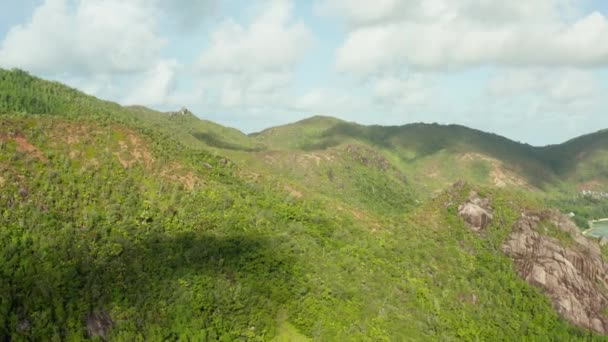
(533, 71)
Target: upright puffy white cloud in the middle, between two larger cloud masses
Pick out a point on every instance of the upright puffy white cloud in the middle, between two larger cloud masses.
(253, 66)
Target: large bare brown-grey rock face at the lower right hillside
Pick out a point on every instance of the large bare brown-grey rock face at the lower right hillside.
(572, 274)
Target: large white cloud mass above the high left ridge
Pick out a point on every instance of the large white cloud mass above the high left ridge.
(111, 48)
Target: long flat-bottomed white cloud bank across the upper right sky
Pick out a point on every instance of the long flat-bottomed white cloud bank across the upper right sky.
(442, 34)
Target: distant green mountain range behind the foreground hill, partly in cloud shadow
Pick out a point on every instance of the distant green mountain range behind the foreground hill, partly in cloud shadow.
(449, 152)
